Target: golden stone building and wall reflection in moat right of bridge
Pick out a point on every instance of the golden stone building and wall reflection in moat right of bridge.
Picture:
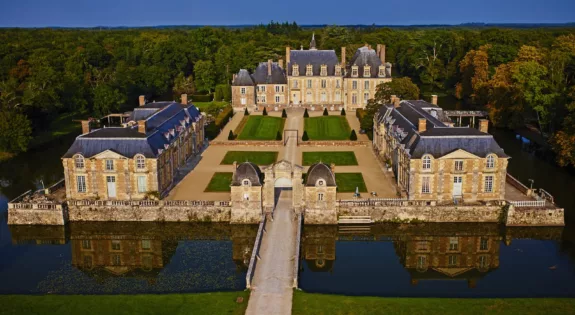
(430, 251)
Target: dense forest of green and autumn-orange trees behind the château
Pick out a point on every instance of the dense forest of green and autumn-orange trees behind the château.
(520, 76)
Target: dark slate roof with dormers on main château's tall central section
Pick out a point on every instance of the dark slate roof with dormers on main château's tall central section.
(316, 58)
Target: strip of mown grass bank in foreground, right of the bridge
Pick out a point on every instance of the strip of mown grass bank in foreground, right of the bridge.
(312, 304)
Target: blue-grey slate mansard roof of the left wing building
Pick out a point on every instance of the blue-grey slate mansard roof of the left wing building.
(163, 127)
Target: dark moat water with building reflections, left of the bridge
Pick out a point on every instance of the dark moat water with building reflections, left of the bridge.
(127, 258)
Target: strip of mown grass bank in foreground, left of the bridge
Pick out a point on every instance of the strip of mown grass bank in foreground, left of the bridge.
(199, 303)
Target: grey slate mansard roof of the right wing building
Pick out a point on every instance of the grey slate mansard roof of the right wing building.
(438, 139)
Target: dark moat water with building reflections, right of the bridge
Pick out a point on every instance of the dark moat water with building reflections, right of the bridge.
(435, 260)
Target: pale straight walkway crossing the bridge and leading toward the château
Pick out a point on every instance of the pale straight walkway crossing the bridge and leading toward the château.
(272, 286)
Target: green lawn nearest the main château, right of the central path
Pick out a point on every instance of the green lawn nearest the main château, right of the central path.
(327, 128)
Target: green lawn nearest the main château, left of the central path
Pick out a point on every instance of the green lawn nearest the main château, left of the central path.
(260, 128)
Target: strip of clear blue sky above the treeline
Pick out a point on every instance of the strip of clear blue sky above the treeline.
(86, 13)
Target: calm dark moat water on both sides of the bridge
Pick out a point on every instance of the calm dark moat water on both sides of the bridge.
(384, 260)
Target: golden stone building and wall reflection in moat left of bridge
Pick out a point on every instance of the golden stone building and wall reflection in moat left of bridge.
(134, 249)
